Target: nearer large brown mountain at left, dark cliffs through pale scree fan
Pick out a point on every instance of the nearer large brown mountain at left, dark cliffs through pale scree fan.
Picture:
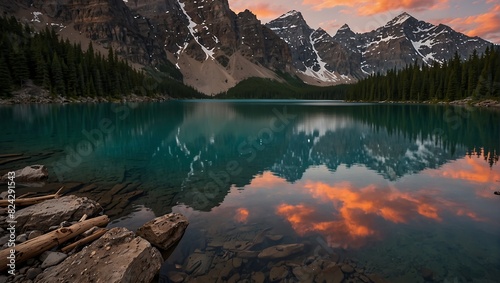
(213, 47)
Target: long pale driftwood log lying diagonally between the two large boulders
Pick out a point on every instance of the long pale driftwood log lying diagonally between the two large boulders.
(38, 245)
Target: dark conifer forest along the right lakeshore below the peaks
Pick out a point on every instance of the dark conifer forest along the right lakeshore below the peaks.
(477, 77)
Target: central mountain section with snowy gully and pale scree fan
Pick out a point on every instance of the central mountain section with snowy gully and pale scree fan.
(212, 46)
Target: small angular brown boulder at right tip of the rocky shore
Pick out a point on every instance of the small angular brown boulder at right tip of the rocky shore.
(164, 231)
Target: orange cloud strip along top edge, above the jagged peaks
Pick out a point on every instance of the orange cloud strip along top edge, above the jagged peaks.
(366, 7)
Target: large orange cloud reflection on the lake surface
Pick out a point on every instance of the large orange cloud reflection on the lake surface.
(358, 212)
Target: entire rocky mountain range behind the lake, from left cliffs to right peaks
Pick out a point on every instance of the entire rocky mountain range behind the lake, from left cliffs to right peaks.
(215, 48)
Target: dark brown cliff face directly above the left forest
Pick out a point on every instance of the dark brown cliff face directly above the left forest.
(108, 23)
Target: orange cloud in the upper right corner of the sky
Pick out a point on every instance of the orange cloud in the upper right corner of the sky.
(486, 25)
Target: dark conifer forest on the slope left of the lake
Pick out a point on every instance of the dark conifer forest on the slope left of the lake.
(64, 69)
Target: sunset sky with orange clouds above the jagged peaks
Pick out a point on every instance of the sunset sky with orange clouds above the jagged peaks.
(472, 17)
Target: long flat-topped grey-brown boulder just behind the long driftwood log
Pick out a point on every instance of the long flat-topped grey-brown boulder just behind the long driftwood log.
(52, 212)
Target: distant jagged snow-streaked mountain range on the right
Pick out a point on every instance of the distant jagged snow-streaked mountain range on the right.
(402, 41)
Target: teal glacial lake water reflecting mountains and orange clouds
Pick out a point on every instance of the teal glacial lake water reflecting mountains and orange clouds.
(403, 191)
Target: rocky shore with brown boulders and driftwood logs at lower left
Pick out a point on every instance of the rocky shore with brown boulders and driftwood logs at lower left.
(45, 230)
